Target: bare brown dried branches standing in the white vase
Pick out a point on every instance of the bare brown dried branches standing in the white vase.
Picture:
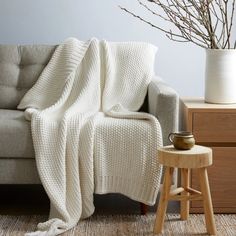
(206, 23)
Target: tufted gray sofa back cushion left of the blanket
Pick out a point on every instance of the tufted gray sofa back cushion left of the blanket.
(20, 67)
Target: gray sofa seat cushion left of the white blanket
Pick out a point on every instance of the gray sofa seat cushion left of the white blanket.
(15, 135)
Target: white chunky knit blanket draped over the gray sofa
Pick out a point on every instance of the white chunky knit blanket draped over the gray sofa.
(86, 132)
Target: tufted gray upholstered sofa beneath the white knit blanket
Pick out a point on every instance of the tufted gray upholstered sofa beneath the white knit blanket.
(20, 66)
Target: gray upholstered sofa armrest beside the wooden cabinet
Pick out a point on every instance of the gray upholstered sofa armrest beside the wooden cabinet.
(163, 103)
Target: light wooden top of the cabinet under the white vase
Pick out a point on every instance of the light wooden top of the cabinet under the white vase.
(198, 104)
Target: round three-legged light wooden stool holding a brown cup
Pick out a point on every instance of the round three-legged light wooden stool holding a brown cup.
(198, 157)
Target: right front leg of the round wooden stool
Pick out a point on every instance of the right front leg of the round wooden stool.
(207, 203)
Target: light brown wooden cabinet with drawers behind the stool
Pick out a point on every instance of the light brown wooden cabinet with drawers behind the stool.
(215, 126)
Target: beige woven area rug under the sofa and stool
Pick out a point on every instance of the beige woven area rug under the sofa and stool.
(109, 225)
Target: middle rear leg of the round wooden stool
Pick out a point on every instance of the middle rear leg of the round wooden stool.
(184, 204)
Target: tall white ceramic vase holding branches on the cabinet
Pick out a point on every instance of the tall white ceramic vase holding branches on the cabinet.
(220, 76)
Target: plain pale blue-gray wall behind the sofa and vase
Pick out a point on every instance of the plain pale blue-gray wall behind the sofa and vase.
(51, 21)
